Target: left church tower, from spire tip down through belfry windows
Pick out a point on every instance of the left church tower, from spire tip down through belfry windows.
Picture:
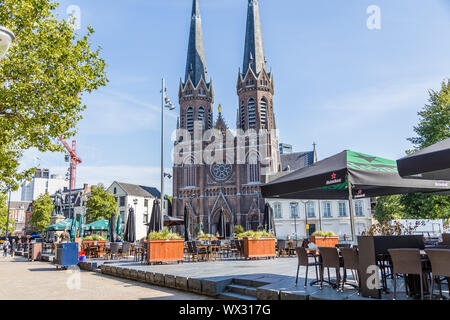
(196, 95)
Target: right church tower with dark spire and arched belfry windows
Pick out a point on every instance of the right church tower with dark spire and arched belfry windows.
(255, 88)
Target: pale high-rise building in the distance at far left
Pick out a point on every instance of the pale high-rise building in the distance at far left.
(42, 182)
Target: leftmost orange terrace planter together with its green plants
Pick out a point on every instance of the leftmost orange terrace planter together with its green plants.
(165, 246)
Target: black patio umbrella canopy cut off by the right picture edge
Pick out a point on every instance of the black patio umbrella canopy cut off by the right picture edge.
(431, 163)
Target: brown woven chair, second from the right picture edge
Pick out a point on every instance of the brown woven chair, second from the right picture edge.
(407, 262)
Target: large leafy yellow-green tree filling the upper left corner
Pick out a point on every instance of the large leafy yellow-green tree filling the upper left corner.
(42, 80)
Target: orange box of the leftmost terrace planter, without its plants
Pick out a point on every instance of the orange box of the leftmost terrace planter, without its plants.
(165, 250)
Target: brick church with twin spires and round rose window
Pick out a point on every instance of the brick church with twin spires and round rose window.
(227, 182)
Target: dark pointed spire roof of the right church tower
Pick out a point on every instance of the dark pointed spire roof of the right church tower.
(254, 57)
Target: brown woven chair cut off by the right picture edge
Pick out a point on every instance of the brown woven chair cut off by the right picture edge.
(440, 268)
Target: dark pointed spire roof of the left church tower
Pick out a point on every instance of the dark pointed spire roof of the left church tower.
(196, 62)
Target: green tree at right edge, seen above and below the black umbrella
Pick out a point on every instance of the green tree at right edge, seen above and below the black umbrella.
(433, 126)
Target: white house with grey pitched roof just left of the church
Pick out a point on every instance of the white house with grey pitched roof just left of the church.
(140, 198)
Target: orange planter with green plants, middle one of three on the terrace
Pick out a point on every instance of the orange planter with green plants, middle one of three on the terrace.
(258, 244)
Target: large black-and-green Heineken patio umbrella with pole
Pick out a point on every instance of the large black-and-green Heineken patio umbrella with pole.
(347, 175)
